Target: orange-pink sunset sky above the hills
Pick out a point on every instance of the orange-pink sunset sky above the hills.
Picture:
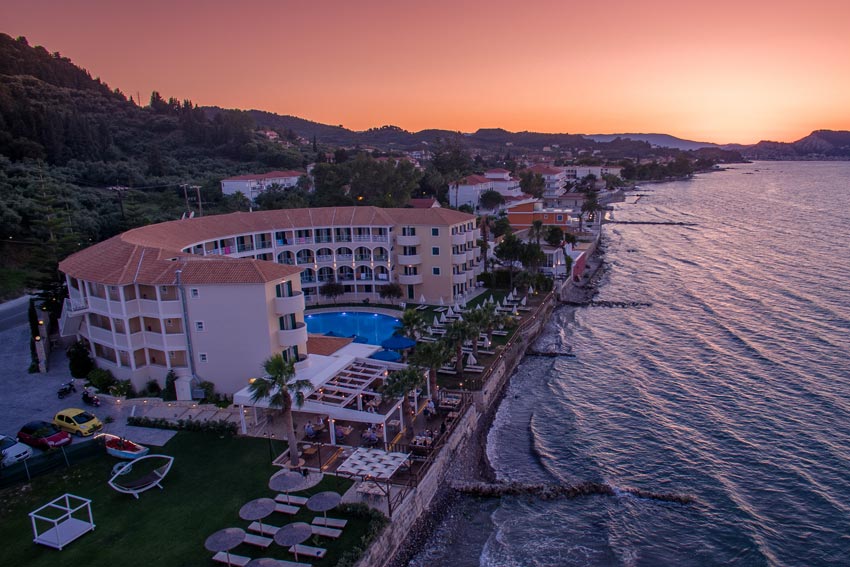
(718, 71)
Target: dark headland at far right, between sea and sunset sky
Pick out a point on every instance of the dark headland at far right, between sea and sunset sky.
(819, 145)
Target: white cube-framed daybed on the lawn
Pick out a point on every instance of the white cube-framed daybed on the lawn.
(69, 517)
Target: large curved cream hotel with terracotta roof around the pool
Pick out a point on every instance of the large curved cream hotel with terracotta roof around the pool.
(213, 297)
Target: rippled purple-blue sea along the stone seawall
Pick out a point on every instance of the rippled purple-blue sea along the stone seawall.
(727, 381)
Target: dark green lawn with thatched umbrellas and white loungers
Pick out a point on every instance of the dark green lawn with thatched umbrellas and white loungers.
(211, 479)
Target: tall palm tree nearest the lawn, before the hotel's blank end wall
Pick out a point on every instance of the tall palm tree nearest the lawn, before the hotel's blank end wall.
(279, 386)
